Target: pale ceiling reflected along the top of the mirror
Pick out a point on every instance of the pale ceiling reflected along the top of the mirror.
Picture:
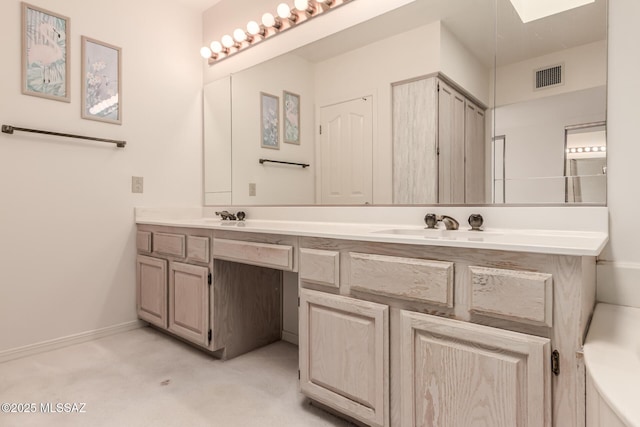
(473, 23)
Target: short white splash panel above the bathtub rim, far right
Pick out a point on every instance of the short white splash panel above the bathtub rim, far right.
(618, 283)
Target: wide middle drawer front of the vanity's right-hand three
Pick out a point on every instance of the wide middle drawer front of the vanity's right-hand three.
(406, 278)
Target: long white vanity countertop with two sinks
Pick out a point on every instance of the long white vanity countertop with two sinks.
(579, 243)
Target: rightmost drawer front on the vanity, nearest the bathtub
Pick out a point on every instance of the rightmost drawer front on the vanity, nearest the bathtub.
(524, 296)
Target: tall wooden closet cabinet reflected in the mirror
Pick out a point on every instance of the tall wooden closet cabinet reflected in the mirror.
(438, 144)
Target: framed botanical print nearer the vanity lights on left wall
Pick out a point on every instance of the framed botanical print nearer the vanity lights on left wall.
(101, 81)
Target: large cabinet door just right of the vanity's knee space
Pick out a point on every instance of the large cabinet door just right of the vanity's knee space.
(344, 355)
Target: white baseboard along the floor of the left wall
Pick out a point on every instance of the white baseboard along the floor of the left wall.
(54, 344)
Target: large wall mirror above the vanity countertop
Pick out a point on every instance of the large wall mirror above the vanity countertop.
(438, 101)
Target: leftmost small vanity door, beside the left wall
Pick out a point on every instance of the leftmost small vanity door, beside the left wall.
(151, 290)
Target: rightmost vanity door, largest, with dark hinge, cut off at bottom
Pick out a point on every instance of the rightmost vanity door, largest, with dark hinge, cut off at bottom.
(457, 374)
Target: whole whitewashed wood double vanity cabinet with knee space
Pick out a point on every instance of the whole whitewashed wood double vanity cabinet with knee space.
(390, 333)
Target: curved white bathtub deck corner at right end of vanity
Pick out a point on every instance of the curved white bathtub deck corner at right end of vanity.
(612, 358)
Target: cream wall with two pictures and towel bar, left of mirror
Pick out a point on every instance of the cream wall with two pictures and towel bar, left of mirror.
(67, 244)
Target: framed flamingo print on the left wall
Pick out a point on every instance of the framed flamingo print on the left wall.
(45, 53)
